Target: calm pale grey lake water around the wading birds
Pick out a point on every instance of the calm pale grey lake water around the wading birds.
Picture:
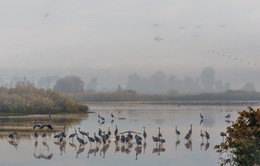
(28, 150)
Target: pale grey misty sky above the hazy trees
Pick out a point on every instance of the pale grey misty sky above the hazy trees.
(109, 39)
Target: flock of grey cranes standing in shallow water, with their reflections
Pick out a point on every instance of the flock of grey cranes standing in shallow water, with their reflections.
(126, 139)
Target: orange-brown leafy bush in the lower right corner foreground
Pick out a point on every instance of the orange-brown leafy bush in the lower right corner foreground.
(243, 143)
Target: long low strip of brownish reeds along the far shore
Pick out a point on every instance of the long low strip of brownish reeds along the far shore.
(124, 96)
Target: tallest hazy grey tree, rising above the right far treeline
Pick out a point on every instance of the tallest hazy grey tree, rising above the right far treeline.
(208, 78)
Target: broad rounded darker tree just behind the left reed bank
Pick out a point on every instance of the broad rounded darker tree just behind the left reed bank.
(70, 84)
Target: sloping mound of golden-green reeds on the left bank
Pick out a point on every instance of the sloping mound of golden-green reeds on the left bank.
(24, 98)
